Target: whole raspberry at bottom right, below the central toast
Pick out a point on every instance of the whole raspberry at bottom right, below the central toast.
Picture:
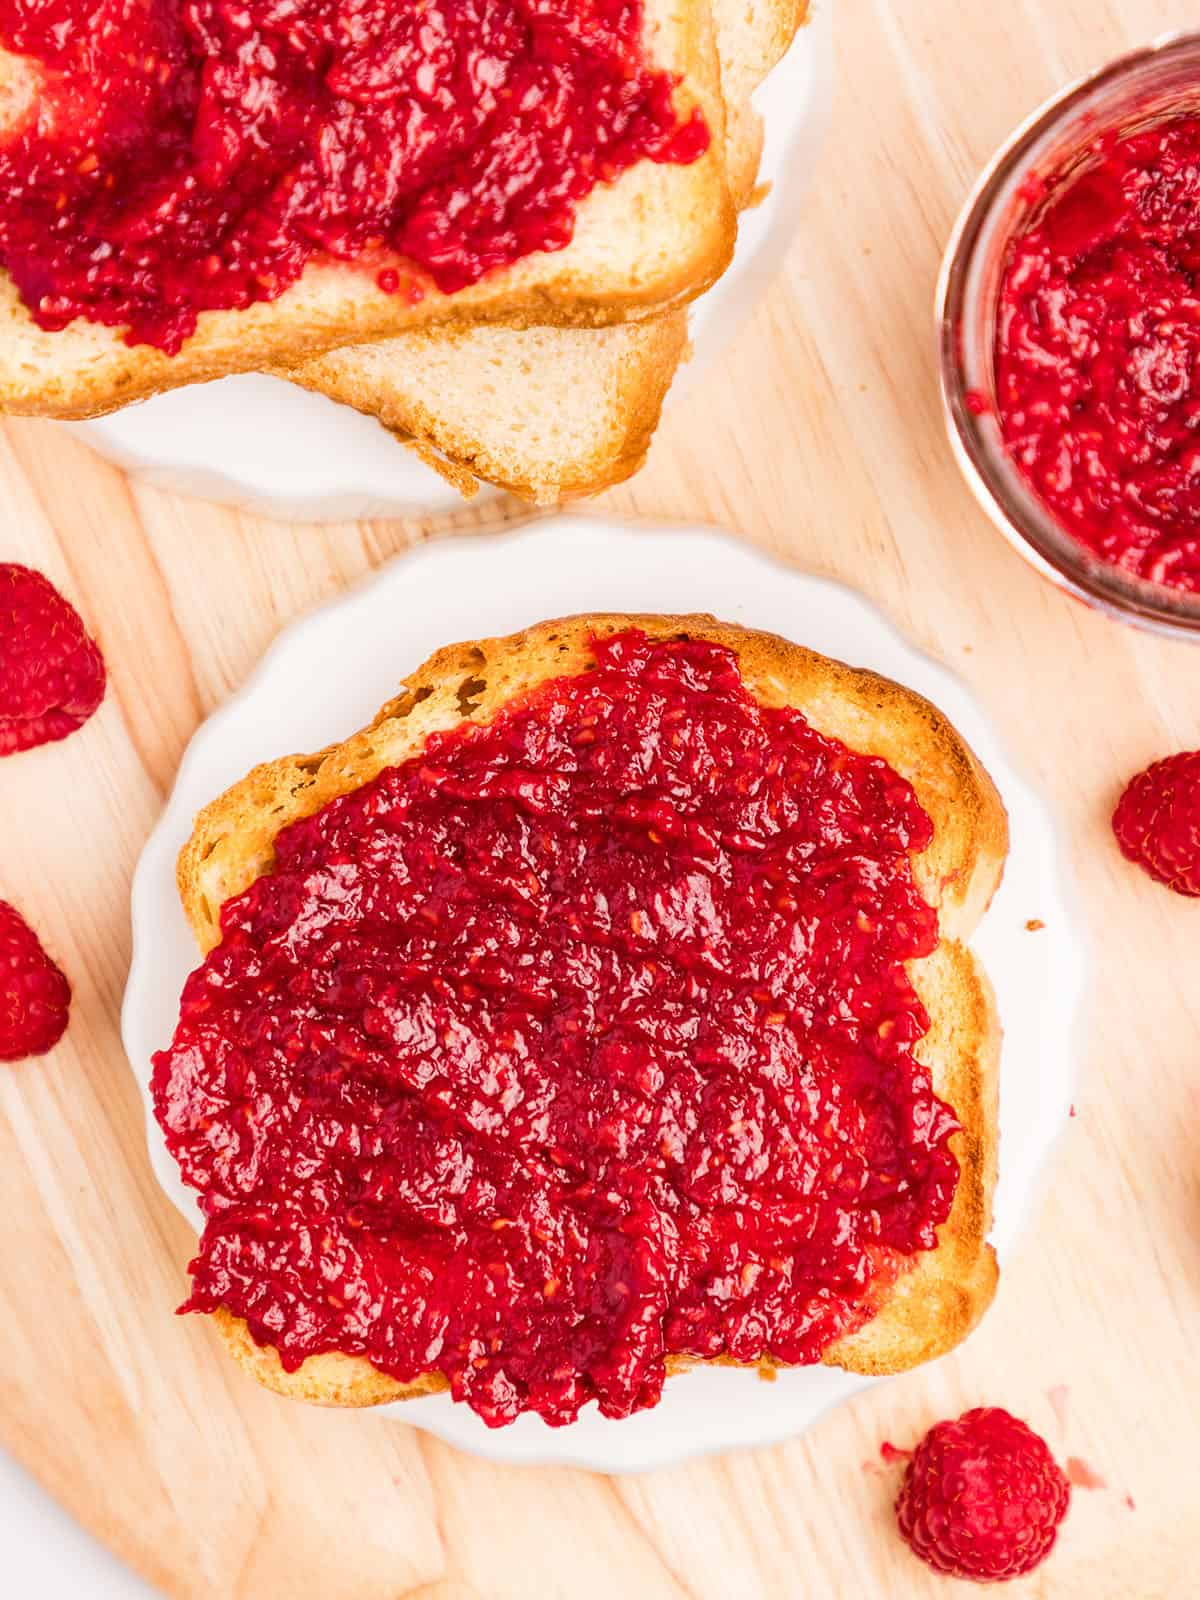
(983, 1497)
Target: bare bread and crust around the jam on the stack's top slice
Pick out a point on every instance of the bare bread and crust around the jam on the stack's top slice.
(650, 241)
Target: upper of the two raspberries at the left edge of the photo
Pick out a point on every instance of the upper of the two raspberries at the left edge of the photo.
(52, 674)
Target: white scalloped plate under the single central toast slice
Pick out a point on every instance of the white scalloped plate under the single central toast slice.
(473, 588)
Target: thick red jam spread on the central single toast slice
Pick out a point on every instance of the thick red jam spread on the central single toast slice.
(582, 1041)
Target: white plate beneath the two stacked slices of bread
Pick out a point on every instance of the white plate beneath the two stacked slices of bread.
(265, 446)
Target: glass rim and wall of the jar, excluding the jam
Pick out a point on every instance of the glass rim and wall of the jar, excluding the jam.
(1146, 87)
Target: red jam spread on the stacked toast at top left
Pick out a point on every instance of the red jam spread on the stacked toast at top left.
(183, 156)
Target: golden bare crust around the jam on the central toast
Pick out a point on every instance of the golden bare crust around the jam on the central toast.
(945, 1292)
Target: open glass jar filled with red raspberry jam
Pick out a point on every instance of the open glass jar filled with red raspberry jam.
(1070, 332)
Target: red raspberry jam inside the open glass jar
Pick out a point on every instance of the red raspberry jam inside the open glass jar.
(1098, 354)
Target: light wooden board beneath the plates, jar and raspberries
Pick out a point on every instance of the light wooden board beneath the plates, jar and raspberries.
(818, 438)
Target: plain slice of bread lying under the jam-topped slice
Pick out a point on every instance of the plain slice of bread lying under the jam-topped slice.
(556, 414)
